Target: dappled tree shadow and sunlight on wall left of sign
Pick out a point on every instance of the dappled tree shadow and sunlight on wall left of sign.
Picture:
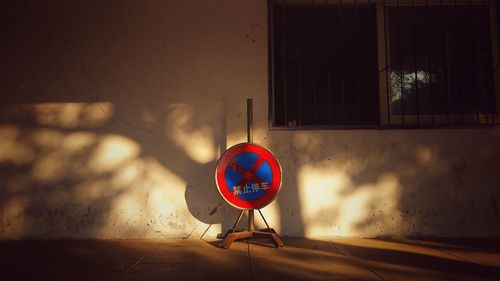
(68, 175)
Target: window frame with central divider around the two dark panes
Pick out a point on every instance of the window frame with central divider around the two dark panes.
(386, 119)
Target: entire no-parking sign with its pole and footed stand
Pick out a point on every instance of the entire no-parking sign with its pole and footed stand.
(248, 177)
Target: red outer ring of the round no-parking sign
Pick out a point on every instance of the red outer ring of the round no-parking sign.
(223, 189)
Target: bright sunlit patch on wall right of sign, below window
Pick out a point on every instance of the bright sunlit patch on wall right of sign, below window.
(331, 205)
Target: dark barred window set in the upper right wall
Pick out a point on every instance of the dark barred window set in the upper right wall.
(371, 64)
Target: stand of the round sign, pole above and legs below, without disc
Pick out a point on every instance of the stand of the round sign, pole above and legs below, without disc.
(233, 234)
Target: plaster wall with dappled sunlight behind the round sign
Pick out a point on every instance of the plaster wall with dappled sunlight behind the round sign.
(113, 114)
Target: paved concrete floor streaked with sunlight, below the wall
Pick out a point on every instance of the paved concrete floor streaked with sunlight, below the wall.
(301, 259)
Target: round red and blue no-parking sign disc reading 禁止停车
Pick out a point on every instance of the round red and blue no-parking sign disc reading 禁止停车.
(248, 176)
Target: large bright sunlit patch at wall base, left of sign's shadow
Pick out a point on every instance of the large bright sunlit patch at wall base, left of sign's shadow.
(153, 205)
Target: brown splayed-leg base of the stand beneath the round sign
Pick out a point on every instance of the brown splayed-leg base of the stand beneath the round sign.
(233, 234)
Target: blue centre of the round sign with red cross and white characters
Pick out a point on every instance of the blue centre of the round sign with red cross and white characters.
(248, 176)
